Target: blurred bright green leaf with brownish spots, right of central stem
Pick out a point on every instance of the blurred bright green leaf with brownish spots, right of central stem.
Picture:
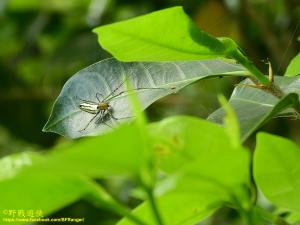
(208, 155)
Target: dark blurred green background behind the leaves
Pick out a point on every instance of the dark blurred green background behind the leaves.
(44, 42)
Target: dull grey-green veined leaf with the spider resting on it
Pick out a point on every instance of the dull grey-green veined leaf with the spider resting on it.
(153, 79)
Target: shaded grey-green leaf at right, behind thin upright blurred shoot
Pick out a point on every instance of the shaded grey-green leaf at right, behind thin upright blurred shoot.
(255, 107)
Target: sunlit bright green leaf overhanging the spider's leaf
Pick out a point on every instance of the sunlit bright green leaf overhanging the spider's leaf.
(165, 35)
